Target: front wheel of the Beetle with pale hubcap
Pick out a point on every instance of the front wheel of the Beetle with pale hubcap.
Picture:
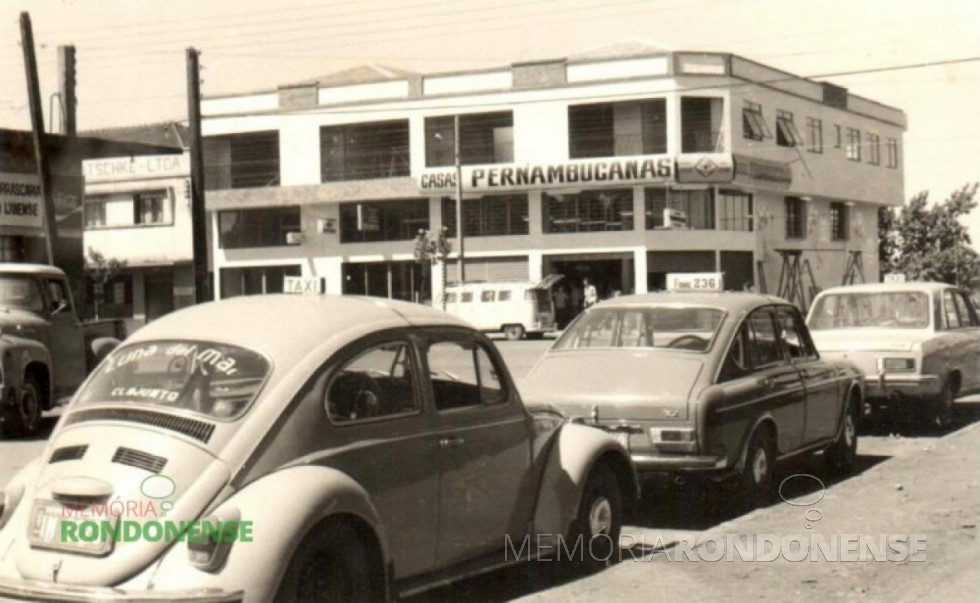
(600, 518)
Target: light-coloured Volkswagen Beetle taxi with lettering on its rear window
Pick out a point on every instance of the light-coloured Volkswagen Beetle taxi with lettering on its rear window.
(300, 447)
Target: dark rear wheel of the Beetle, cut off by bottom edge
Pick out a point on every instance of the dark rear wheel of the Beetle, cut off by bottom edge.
(331, 564)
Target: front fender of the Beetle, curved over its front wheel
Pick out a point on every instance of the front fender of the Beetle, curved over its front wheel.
(570, 460)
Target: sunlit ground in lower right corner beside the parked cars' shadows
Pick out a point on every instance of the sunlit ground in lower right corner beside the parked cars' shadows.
(935, 493)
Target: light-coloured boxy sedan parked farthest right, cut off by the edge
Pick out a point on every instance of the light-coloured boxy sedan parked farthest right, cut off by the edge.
(917, 344)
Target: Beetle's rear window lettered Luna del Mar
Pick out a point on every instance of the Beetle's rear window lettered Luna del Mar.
(212, 379)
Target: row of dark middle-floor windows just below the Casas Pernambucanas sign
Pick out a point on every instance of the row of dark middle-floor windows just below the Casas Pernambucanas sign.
(498, 215)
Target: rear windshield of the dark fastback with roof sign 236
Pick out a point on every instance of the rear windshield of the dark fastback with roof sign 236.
(684, 327)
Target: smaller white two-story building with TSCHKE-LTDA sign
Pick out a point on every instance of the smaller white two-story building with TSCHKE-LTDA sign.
(137, 211)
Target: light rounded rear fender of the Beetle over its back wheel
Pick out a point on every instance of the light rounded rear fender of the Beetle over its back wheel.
(282, 507)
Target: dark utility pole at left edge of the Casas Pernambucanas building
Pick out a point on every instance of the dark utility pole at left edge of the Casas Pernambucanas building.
(198, 215)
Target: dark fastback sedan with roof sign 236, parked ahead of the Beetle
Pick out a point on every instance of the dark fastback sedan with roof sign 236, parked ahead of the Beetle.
(708, 383)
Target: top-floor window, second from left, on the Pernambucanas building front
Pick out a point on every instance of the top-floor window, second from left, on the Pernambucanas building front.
(364, 151)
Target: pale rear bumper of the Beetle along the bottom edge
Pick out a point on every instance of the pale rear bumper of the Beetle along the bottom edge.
(18, 590)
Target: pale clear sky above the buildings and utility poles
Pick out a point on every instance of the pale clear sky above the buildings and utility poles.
(922, 57)
